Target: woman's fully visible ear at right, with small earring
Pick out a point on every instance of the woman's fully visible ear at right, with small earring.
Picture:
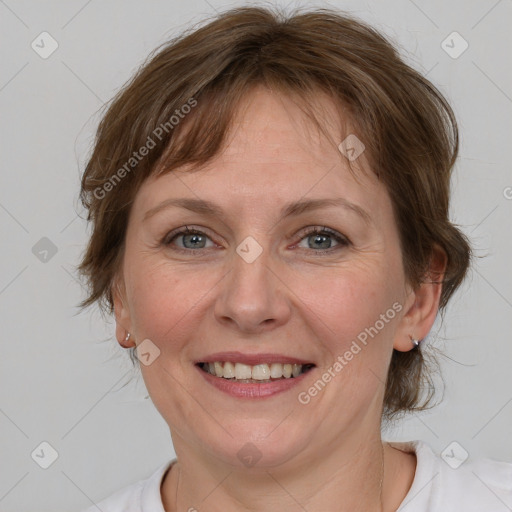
(422, 304)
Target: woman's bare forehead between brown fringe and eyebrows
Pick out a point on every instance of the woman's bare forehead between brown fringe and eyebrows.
(273, 153)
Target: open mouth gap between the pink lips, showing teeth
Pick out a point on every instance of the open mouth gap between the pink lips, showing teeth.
(263, 373)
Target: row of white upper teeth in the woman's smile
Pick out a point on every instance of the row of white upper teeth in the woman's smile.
(257, 372)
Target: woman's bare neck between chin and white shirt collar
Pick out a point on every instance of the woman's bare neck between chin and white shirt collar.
(348, 477)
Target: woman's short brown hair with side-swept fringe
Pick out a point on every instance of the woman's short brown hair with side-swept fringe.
(180, 103)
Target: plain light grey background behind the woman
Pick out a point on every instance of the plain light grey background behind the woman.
(62, 373)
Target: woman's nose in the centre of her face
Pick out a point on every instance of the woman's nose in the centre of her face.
(252, 298)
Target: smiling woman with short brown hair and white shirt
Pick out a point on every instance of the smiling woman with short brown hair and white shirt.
(269, 199)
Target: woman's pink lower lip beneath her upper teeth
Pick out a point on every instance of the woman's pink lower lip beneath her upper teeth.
(252, 390)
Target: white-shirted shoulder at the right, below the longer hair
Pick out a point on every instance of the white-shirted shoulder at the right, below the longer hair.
(449, 483)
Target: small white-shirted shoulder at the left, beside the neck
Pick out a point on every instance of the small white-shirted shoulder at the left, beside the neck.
(140, 496)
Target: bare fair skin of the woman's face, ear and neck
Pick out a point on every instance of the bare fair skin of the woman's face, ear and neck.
(326, 455)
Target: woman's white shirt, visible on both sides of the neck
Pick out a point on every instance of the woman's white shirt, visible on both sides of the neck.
(483, 485)
